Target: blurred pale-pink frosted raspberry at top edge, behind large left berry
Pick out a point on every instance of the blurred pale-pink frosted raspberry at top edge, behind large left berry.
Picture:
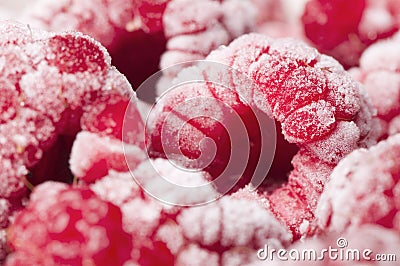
(98, 18)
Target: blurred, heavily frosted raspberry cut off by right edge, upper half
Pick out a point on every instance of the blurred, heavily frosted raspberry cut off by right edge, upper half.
(378, 71)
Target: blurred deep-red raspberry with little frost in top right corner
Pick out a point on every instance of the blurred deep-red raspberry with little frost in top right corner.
(329, 25)
